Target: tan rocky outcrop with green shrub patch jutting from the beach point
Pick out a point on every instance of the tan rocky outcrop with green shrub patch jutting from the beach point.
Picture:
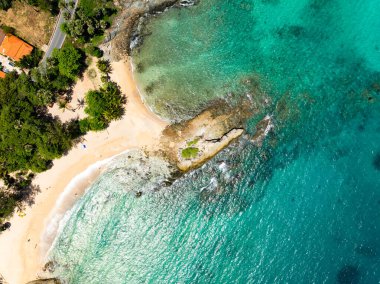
(191, 143)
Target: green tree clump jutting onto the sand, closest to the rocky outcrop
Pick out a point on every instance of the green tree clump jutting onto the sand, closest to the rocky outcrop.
(103, 106)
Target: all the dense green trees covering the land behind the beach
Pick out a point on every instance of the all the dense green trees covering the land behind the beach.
(30, 137)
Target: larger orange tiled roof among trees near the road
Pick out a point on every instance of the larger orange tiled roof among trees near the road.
(14, 47)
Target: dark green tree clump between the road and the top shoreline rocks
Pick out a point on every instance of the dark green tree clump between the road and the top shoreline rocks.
(91, 19)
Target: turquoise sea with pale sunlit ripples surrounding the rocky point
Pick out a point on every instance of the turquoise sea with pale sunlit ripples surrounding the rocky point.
(303, 208)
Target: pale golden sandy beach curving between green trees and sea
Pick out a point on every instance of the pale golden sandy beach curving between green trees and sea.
(21, 245)
